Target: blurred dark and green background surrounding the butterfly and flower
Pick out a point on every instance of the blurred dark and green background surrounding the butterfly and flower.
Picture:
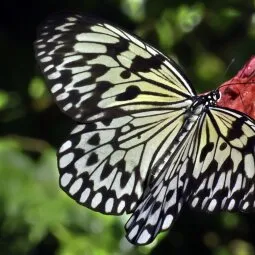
(35, 216)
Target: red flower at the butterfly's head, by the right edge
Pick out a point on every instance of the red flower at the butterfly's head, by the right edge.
(239, 92)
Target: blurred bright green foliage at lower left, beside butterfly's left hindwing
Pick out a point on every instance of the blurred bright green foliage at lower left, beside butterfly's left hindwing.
(33, 206)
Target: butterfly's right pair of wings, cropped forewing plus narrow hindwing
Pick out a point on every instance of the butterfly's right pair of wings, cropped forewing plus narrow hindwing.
(212, 169)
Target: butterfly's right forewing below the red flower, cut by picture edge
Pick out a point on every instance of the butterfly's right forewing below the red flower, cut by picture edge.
(224, 170)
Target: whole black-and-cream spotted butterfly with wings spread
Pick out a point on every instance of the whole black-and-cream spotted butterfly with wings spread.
(144, 142)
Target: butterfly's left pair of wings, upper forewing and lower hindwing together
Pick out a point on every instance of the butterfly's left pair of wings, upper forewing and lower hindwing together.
(131, 98)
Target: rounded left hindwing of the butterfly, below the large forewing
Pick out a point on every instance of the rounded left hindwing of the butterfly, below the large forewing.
(106, 165)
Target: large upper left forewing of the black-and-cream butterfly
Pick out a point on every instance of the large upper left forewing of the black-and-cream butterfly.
(97, 71)
